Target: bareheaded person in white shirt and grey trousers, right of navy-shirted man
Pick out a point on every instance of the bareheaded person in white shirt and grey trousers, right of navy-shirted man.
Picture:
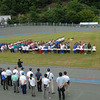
(46, 82)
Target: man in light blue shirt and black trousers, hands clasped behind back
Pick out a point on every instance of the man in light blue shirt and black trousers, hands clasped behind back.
(61, 83)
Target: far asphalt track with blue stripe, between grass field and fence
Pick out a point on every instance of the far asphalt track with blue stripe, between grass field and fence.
(29, 30)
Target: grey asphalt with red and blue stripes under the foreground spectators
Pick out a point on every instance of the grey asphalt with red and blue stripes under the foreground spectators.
(85, 84)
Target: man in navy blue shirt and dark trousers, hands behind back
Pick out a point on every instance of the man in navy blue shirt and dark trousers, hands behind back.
(38, 77)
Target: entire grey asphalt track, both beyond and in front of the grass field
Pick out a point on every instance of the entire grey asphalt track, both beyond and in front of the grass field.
(85, 83)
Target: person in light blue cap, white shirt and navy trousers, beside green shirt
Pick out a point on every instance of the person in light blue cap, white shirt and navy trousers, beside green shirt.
(23, 82)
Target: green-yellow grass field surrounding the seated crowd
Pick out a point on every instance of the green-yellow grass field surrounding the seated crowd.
(68, 60)
